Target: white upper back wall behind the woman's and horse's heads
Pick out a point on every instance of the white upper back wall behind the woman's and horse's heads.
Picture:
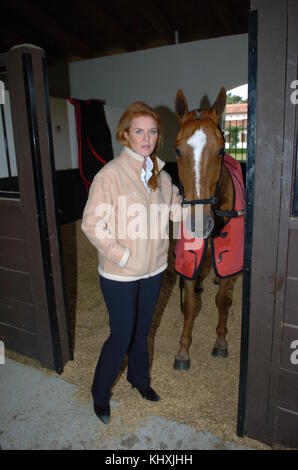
(200, 68)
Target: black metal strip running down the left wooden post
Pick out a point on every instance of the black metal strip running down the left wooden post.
(41, 207)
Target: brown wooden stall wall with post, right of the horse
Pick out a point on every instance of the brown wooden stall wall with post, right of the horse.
(272, 379)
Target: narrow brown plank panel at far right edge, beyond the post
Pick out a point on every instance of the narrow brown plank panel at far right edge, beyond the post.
(283, 417)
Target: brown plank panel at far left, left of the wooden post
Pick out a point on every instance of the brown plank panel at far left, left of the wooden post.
(17, 309)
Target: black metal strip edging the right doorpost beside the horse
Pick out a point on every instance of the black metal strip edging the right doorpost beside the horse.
(250, 185)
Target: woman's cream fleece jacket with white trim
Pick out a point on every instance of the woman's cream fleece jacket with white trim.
(122, 220)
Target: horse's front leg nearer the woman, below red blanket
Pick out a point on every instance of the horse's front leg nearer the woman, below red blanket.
(182, 361)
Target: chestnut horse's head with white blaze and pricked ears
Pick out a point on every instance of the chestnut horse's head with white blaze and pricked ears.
(199, 152)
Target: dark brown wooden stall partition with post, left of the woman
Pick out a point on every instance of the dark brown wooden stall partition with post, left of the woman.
(33, 311)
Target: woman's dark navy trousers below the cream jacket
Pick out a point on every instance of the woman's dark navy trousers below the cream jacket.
(131, 307)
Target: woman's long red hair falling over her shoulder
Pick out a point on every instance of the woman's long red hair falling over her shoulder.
(139, 108)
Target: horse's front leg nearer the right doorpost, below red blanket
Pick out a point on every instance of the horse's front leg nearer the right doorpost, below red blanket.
(223, 299)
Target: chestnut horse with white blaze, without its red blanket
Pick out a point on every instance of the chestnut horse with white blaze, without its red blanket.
(206, 181)
